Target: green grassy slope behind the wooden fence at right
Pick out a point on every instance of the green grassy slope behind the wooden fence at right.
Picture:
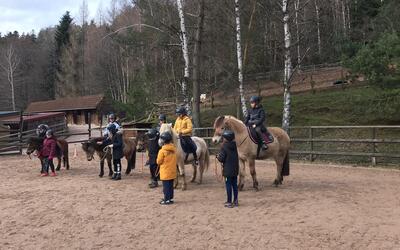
(363, 105)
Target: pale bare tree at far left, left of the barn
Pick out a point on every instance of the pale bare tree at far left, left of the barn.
(10, 66)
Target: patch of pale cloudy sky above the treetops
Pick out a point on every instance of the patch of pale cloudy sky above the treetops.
(28, 15)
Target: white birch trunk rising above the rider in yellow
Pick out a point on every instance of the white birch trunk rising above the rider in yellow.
(185, 53)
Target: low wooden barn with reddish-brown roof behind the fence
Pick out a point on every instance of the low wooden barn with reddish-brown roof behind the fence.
(78, 110)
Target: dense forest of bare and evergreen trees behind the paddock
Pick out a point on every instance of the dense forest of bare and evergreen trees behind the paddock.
(144, 51)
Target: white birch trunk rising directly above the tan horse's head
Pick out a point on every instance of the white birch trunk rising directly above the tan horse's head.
(239, 59)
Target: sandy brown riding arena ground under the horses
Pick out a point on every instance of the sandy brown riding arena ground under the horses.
(318, 207)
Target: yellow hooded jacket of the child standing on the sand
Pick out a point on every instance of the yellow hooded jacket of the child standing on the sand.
(166, 159)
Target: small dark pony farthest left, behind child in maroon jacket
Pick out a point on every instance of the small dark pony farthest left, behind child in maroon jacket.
(36, 143)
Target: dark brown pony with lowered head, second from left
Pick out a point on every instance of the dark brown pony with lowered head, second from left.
(91, 147)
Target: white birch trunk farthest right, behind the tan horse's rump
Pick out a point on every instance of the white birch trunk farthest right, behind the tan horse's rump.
(288, 69)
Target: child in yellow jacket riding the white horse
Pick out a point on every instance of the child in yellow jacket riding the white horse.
(184, 127)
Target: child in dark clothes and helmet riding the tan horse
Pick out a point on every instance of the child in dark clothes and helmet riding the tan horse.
(255, 119)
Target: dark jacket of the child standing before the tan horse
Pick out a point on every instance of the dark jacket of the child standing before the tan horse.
(229, 158)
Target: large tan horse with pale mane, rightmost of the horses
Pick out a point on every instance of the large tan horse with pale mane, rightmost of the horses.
(278, 150)
